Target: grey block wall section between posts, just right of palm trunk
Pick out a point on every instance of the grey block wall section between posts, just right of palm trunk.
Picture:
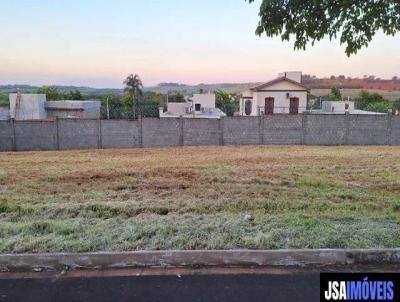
(161, 132)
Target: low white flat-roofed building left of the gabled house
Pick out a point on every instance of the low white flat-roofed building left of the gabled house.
(197, 106)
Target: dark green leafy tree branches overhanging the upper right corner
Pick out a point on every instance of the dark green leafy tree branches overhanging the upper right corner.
(356, 21)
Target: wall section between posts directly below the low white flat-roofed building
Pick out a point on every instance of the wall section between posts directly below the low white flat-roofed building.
(201, 132)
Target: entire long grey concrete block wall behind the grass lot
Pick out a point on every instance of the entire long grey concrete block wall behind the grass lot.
(67, 134)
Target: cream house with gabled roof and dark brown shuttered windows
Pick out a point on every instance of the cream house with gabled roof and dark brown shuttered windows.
(283, 95)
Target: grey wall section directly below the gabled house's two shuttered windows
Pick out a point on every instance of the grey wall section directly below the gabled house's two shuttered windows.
(282, 130)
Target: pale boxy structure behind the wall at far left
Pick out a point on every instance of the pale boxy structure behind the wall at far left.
(27, 106)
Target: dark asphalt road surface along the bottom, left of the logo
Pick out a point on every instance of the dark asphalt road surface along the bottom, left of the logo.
(205, 287)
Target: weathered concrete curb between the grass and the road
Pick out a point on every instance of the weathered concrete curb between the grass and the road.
(196, 259)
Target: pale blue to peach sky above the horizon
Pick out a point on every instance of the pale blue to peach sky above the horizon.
(98, 42)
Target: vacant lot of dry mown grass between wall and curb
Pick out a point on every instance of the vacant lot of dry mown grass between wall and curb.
(197, 198)
